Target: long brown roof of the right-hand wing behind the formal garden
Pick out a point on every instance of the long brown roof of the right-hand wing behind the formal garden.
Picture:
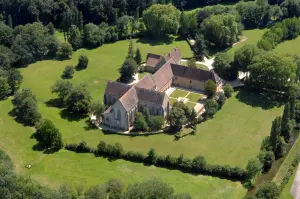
(192, 73)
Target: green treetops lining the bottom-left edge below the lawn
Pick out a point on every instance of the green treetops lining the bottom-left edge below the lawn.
(13, 186)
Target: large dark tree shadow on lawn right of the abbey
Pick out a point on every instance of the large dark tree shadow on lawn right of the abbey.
(256, 98)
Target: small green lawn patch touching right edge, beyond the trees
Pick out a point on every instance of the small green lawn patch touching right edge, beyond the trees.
(289, 46)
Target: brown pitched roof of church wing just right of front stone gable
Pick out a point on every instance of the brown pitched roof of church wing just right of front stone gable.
(151, 96)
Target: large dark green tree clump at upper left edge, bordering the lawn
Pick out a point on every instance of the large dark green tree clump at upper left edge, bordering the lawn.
(26, 44)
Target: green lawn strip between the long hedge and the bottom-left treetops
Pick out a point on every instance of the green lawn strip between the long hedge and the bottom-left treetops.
(66, 166)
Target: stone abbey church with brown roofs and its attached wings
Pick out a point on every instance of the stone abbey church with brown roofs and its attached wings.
(126, 100)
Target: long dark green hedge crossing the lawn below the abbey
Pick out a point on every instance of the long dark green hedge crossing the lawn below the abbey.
(197, 165)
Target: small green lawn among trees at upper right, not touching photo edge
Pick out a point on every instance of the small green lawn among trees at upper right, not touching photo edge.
(253, 36)
